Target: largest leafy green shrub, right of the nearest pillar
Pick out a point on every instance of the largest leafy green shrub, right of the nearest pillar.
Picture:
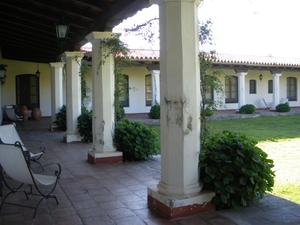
(235, 169)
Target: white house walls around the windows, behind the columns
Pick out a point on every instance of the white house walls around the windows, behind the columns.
(137, 100)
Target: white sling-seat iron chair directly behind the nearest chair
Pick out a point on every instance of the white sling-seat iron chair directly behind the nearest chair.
(9, 135)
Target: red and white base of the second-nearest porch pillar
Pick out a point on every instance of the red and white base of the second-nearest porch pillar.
(107, 157)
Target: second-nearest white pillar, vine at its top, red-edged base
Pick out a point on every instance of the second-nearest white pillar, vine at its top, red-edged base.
(103, 89)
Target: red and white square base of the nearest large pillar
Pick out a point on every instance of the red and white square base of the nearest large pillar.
(174, 208)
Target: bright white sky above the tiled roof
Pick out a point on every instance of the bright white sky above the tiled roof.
(244, 27)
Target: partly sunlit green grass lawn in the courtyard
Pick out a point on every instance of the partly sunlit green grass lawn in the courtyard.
(279, 137)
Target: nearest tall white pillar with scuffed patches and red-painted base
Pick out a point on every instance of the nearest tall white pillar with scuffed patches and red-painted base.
(178, 192)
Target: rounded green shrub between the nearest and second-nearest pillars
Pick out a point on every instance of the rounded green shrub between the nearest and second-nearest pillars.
(136, 140)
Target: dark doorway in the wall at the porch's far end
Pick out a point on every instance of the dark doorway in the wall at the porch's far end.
(27, 91)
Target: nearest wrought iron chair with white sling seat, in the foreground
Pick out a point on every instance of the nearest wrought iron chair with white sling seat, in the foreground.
(16, 164)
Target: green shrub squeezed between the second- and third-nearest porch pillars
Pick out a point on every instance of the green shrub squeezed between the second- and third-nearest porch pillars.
(84, 125)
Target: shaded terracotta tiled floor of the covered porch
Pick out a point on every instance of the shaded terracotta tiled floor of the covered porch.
(117, 193)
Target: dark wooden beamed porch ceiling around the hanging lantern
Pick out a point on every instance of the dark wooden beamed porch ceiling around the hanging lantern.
(27, 27)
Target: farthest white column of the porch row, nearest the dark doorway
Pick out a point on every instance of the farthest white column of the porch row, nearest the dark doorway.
(56, 88)
